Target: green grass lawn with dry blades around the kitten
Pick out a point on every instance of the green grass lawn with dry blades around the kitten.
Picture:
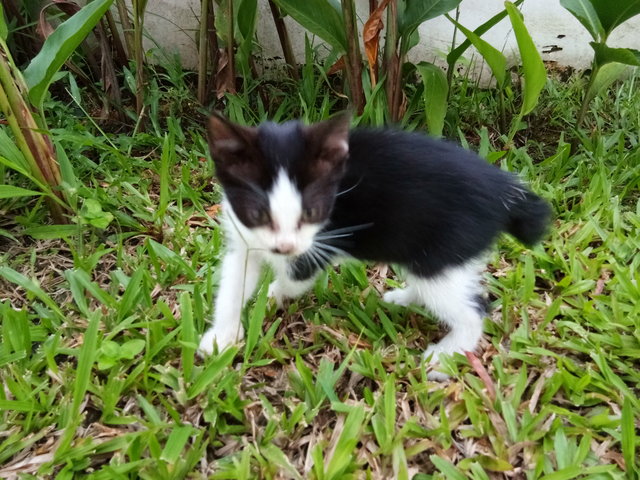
(100, 323)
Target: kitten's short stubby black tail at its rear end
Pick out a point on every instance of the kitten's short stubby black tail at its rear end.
(529, 215)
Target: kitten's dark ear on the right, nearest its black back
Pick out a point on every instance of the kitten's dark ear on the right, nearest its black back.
(328, 142)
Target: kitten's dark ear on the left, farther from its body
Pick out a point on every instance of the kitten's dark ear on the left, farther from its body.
(230, 143)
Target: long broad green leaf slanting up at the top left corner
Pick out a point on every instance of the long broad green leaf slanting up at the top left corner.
(59, 46)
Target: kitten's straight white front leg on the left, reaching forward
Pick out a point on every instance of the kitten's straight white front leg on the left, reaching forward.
(240, 272)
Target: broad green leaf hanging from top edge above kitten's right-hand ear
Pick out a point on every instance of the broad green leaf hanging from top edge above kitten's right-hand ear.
(320, 17)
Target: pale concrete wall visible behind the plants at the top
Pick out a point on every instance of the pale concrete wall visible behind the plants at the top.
(173, 24)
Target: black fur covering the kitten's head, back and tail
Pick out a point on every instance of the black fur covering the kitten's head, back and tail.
(396, 197)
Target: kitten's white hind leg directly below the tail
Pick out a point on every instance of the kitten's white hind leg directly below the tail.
(453, 296)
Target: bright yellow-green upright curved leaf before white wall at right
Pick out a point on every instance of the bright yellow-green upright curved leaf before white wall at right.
(535, 75)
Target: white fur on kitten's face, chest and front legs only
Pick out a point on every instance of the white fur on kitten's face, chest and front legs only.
(247, 250)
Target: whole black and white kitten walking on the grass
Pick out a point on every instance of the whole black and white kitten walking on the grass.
(298, 197)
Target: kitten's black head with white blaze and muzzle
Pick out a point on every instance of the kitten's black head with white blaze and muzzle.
(280, 179)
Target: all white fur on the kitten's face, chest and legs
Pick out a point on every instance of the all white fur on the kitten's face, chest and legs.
(450, 296)
